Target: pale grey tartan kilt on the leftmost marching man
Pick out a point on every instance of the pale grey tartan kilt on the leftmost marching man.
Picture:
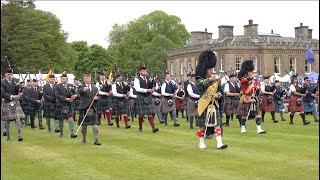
(7, 114)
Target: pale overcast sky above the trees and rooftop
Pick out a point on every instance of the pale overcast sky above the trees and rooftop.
(92, 21)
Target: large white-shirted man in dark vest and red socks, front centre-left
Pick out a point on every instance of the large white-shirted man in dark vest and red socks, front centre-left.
(144, 105)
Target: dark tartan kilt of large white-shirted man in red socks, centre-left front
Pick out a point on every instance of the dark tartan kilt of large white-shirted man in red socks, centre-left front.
(142, 108)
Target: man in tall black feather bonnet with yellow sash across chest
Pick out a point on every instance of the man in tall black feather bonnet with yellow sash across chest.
(209, 120)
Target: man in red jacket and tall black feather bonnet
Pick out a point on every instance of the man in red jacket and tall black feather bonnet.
(249, 103)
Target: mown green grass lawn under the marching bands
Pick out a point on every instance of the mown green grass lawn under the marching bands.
(285, 152)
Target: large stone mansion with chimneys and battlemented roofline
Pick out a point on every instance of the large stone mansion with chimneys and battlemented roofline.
(271, 53)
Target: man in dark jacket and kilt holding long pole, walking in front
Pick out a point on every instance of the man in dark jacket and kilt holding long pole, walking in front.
(89, 96)
